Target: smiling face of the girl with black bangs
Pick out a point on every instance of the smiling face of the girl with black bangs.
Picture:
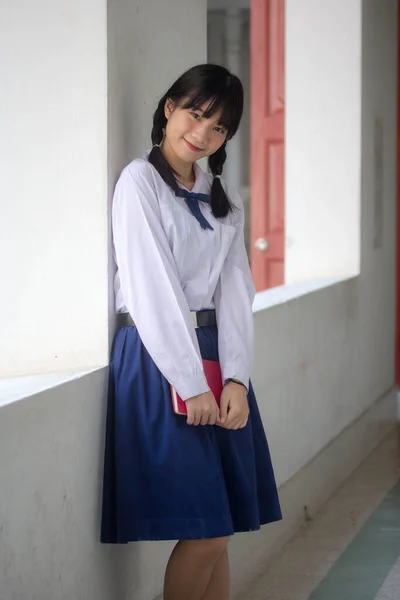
(190, 135)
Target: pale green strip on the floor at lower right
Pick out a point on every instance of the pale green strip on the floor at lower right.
(364, 565)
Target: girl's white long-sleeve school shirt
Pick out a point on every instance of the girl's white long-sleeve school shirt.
(167, 266)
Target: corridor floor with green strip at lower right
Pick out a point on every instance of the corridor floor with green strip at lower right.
(351, 549)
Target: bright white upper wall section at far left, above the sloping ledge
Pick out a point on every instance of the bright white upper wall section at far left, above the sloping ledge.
(53, 225)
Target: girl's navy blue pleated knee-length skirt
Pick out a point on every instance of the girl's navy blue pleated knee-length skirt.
(166, 480)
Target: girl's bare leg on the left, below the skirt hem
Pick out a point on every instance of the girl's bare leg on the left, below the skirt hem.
(190, 568)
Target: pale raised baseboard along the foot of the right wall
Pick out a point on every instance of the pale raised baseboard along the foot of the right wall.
(304, 494)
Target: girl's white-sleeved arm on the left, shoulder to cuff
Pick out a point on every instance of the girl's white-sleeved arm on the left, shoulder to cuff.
(150, 282)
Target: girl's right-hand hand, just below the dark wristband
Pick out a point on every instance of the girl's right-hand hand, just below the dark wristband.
(234, 408)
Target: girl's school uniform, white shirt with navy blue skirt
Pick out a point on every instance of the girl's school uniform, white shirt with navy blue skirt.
(164, 479)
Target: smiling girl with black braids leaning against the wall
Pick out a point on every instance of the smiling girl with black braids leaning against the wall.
(184, 293)
